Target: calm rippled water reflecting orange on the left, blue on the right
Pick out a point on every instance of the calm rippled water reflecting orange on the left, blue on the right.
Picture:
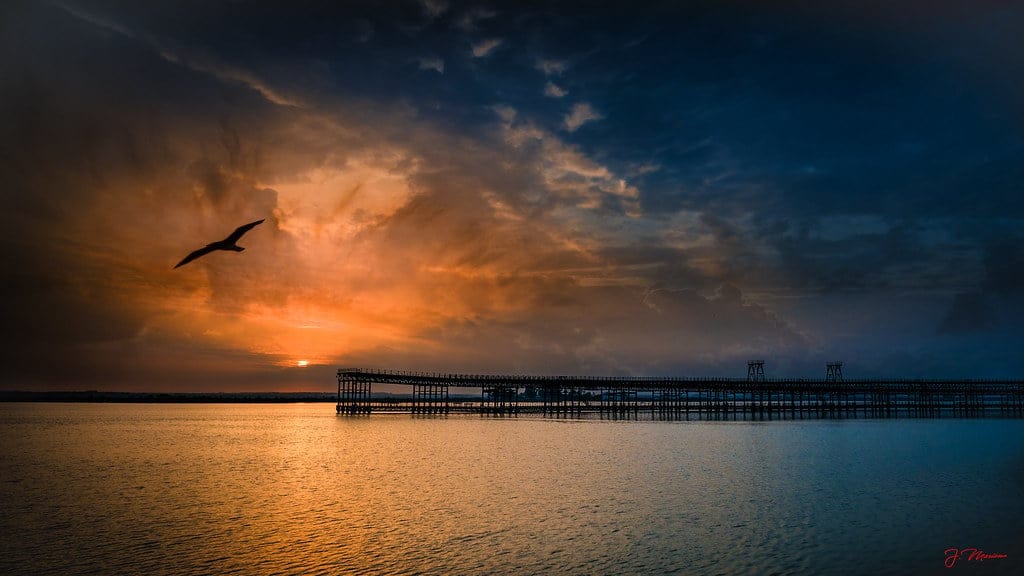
(290, 489)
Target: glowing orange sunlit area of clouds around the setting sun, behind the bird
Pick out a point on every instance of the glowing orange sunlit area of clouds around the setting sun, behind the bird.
(386, 250)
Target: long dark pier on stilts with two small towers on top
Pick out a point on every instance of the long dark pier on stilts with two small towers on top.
(674, 398)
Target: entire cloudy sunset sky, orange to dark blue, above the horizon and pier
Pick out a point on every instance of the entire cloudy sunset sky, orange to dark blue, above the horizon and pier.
(543, 188)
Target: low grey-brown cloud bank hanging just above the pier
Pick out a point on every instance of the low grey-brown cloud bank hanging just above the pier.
(610, 331)
